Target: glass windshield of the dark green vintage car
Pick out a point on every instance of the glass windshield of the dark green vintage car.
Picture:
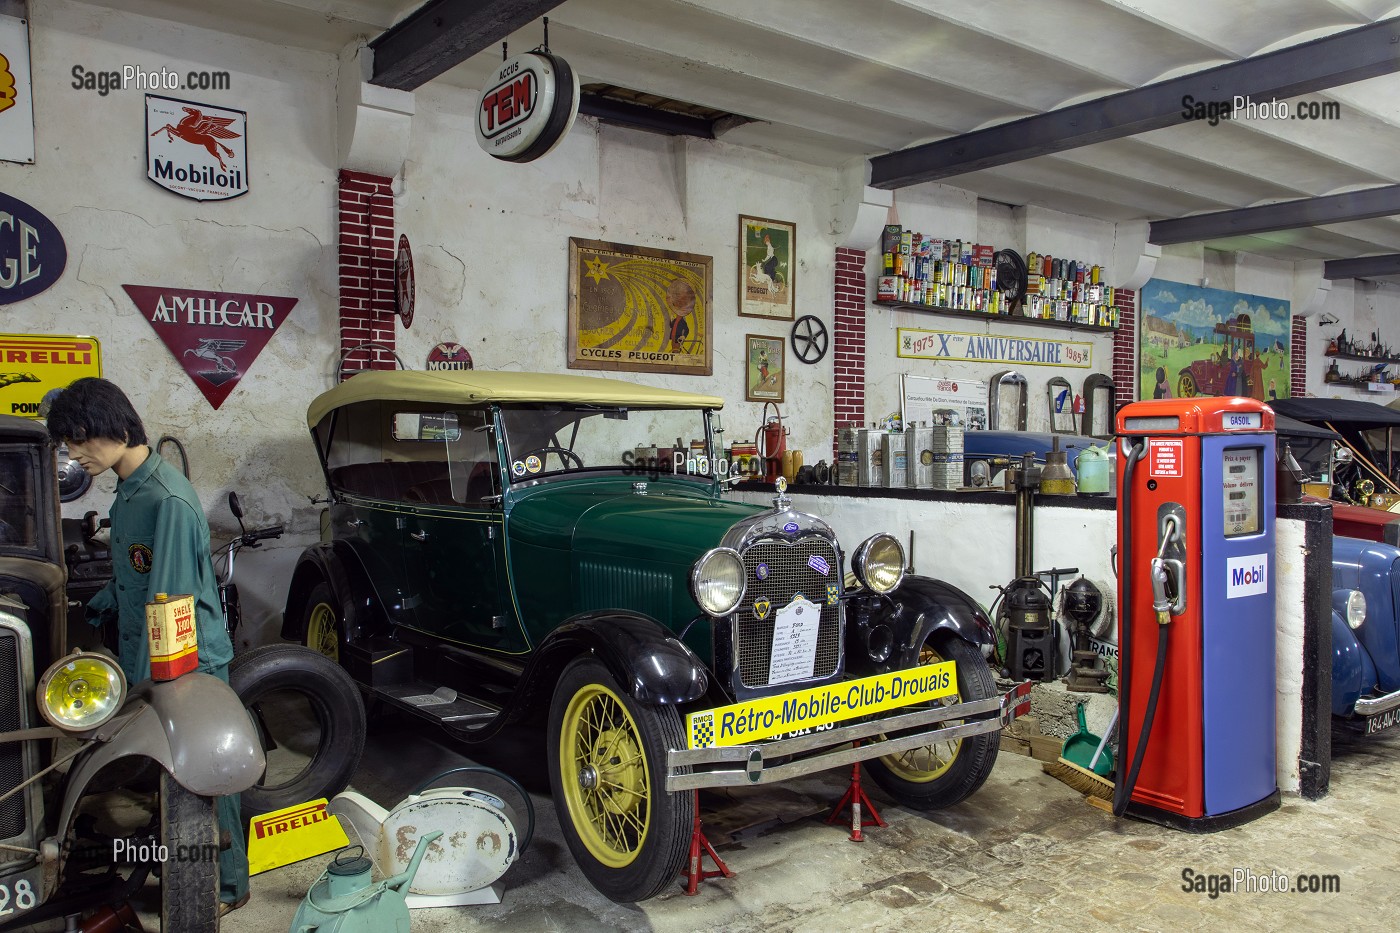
(544, 441)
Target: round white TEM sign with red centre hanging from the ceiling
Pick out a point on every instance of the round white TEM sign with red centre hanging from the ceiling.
(528, 109)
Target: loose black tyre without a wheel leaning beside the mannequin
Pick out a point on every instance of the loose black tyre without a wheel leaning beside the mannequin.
(332, 697)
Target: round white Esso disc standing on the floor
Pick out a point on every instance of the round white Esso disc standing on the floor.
(477, 847)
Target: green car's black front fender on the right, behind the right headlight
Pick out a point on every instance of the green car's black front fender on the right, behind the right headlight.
(912, 614)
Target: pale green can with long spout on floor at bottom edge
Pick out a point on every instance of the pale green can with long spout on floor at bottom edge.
(345, 901)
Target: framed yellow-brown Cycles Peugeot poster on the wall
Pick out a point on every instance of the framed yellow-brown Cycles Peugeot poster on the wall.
(639, 310)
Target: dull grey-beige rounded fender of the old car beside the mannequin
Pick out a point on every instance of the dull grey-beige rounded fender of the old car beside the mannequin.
(195, 728)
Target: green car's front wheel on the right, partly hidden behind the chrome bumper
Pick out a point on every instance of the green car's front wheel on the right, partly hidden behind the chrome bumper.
(944, 774)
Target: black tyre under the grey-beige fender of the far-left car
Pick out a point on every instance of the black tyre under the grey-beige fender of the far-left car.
(190, 876)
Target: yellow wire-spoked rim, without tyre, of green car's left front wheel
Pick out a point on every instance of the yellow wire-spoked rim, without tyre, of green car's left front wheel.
(605, 777)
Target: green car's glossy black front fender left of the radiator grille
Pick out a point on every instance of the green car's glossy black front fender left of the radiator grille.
(645, 658)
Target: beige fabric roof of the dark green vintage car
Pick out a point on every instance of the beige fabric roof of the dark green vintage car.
(475, 387)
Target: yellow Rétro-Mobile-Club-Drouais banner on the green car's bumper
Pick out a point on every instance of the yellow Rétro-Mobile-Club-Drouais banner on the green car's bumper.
(741, 724)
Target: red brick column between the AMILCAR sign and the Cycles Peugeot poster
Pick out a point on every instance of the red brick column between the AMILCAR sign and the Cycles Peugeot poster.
(366, 270)
